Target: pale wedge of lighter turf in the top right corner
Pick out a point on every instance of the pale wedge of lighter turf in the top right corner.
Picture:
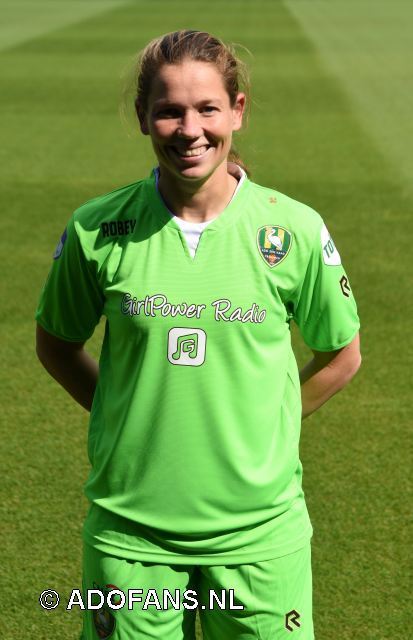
(366, 44)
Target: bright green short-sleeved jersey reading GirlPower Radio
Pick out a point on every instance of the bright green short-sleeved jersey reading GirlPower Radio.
(195, 425)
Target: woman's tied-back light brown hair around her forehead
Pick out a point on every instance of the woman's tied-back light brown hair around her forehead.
(173, 48)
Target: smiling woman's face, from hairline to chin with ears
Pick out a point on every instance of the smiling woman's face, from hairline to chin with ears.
(190, 119)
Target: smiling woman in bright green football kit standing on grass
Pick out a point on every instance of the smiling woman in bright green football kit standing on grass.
(196, 406)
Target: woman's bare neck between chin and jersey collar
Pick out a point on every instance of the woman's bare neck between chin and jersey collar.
(198, 201)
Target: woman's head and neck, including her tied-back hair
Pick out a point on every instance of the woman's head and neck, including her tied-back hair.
(188, 101)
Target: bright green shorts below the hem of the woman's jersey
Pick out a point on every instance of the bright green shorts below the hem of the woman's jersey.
(268, 600)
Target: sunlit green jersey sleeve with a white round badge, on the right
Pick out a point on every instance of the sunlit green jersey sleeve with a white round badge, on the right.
(325, 309)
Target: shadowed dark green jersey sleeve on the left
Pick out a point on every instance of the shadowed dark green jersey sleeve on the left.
(71, 302)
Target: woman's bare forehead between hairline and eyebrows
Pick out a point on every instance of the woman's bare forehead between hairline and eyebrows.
(188, 81)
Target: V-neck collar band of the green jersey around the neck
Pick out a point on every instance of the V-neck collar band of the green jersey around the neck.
(227, 217)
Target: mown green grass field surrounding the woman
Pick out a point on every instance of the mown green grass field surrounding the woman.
(331, 126)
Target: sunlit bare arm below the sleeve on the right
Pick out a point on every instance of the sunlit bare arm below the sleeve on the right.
(327, 373)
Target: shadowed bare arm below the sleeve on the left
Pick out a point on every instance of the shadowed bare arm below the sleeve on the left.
(69, 364)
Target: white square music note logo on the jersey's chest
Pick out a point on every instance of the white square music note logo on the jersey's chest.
(186, 346)
